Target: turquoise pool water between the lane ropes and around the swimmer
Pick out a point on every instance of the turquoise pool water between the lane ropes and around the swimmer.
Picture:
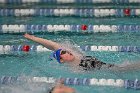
(38, 64)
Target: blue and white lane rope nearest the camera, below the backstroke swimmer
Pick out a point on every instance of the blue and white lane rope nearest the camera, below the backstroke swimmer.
(128, 84)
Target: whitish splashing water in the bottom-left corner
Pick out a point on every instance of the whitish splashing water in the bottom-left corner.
(25, 87)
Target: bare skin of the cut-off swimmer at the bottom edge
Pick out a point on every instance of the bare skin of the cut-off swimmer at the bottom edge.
(63, 89)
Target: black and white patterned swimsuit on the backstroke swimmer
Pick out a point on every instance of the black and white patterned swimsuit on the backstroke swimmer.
(89, 62)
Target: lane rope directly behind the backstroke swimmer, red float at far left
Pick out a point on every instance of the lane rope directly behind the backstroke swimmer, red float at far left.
(9, 49)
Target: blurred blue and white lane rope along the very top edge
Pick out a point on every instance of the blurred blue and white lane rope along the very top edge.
(69, 1)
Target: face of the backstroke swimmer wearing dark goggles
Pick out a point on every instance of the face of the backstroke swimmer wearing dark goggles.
(66, 56)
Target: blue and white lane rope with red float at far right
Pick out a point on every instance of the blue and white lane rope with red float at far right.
(82, 12)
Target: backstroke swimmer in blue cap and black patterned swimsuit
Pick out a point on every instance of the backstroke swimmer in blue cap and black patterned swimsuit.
(63, 55)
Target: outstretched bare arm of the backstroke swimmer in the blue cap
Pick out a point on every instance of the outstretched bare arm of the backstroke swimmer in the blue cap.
(47, 43)
